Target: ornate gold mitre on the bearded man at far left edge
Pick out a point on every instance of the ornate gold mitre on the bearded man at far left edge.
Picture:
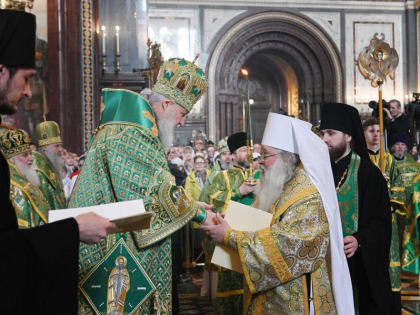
(14, 142)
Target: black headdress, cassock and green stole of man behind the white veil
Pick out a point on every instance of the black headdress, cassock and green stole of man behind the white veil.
(370, 262)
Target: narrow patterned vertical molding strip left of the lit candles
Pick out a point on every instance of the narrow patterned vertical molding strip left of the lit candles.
(88, 46)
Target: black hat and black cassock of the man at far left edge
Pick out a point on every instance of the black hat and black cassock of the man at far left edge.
(39, 267)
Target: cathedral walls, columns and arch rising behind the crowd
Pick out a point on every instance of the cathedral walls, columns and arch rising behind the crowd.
(299, 55)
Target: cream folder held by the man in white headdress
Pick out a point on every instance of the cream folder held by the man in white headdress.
(241, 218)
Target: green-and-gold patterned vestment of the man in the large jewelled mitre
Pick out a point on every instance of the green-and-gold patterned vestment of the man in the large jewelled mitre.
(126, 161)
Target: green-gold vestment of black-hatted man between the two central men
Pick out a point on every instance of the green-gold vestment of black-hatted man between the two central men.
(225, 187)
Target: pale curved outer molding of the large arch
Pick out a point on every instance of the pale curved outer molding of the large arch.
(227, 40)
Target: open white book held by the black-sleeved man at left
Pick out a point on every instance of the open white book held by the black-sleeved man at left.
(127, 215)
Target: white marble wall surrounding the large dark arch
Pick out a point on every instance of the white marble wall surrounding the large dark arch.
(196, 27)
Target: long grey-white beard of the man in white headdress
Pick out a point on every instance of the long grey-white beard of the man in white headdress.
(273, 180)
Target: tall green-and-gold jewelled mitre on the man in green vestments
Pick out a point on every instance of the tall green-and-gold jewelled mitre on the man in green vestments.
(182, 81)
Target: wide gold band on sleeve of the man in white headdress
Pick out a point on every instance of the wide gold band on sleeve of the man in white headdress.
(274, 255)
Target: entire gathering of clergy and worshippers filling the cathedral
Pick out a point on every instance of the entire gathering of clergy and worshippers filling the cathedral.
(343, 228)
